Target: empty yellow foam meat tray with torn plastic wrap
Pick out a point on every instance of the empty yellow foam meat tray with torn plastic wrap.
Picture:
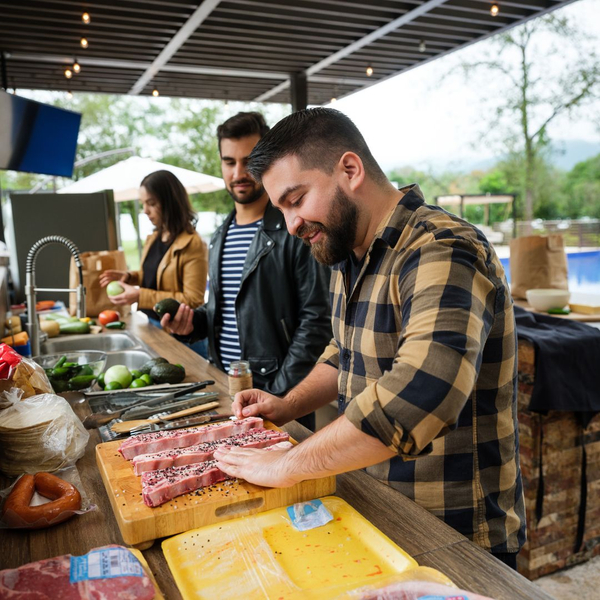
(263, 557)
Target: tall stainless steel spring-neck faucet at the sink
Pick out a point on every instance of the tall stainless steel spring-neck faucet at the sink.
(33, 326)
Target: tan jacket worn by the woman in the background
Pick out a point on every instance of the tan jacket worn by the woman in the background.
(181, 273)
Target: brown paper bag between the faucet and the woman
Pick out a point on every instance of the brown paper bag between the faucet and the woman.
(94, 264)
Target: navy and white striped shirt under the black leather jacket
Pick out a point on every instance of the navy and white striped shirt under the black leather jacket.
(235, 248)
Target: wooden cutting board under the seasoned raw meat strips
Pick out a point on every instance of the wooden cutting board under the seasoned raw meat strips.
(140, 525)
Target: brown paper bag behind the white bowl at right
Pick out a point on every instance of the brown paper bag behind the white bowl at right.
(538, 262)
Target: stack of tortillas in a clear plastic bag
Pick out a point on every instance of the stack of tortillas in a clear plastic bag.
(39, 433)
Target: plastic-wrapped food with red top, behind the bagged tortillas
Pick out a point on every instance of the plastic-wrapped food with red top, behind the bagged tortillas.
(22, 373)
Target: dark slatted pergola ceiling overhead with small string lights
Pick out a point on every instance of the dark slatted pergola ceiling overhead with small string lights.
(270, 38)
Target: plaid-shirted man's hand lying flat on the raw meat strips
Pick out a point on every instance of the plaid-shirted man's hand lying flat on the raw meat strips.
(259, 466)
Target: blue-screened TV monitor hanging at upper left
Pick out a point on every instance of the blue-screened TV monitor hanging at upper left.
(36, 137)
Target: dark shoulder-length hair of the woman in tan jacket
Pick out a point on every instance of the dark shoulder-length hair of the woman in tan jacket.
(177, 212)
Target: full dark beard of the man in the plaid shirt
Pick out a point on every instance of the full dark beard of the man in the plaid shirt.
(339, 237)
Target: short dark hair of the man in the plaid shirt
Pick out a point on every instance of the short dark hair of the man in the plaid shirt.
(318, 137)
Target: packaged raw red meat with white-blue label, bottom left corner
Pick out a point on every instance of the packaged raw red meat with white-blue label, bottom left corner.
(49, 579)
